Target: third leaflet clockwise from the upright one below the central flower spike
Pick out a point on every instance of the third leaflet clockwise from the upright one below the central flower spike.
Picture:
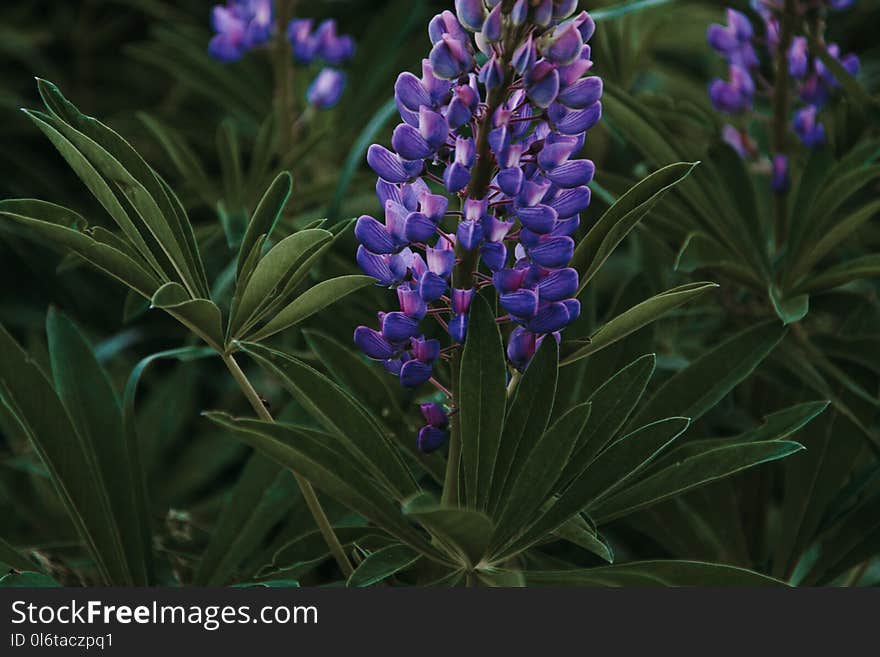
(535, 480)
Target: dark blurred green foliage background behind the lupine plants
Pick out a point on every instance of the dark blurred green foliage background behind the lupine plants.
(137, 64)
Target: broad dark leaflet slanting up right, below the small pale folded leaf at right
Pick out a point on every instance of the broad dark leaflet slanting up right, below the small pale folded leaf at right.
(701, 385)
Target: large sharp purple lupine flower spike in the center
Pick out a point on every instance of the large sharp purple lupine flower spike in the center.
(494, 124)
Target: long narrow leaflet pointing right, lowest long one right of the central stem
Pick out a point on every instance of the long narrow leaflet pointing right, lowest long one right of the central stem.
(695, 471)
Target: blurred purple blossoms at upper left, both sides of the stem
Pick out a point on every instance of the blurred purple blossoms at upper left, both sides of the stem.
(242, 25)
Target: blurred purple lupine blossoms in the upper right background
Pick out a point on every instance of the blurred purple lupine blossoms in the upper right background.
(813, 82)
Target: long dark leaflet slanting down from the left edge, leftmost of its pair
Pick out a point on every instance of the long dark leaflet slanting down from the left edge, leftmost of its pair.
(68, 456)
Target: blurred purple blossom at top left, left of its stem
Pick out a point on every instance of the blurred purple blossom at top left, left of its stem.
(239, 25)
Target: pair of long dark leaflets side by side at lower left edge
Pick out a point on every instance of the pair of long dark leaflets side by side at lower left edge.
(88, 467)
